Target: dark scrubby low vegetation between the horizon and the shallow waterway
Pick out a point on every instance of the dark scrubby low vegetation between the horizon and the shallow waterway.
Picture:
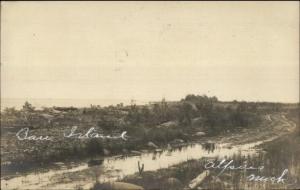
(160, 123)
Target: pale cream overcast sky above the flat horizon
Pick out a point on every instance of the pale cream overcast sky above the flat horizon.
(150, 50)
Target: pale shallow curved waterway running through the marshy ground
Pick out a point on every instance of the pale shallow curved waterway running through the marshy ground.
(115, 168)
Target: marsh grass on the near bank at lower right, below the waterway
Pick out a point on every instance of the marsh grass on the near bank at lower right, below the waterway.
(278, 155)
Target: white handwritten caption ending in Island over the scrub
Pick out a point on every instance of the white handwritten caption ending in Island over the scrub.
(23, 134)
